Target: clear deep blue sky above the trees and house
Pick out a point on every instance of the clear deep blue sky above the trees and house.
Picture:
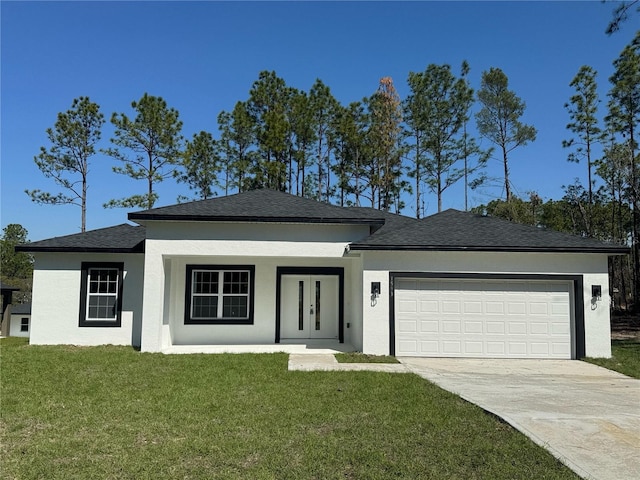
(202, 57)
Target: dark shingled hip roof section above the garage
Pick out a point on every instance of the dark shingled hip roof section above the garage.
(455, 230)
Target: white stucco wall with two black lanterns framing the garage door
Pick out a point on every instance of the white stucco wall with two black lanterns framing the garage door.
(593, 267)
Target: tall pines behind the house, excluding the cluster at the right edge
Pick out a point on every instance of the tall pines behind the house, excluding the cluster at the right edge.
(370, 152)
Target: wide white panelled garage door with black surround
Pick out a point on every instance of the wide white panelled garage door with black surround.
(483, 318)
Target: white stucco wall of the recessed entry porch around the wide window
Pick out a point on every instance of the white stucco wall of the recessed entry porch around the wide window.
(169, 248)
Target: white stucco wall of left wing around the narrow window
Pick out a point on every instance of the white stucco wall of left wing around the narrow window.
(55, 302)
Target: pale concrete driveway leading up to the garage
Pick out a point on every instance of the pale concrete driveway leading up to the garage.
(585, 415)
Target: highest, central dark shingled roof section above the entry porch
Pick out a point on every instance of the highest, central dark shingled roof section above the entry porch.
(263, 206)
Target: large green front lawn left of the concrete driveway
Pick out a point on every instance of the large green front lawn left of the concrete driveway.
(114, 413)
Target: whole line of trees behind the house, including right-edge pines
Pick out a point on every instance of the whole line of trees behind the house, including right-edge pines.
(378, 151)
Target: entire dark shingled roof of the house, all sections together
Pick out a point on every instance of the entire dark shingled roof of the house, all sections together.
(446, 231)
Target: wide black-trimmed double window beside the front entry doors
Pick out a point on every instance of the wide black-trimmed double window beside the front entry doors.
(219, 294)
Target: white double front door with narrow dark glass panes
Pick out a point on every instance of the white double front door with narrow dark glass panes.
(309, 306)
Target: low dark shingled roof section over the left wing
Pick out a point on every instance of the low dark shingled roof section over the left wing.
(123, 238)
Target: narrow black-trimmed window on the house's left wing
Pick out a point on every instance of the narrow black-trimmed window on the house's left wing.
(101, 294)
